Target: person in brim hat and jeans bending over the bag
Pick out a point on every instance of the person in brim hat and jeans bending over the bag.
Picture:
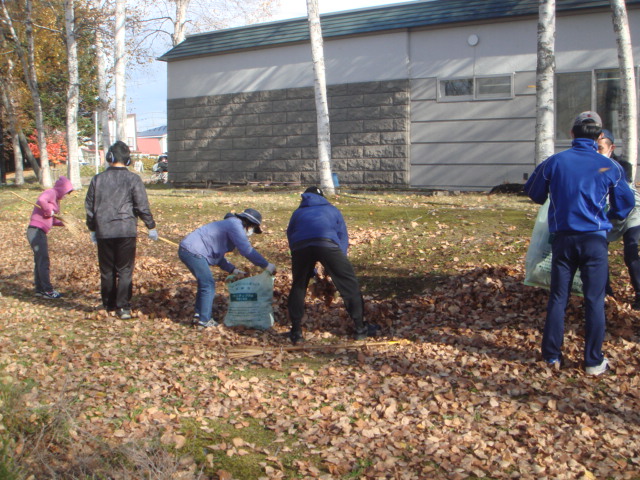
(208, 245)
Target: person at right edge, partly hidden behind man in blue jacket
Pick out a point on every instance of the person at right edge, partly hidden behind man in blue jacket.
(629, 228)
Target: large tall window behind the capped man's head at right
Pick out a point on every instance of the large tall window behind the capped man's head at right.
(576, 92)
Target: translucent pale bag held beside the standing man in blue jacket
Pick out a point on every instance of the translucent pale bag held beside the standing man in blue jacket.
(538, 260)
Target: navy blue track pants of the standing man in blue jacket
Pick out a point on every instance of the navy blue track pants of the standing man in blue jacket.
(586, 252)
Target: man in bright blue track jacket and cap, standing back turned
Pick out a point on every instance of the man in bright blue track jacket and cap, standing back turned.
(578, 182)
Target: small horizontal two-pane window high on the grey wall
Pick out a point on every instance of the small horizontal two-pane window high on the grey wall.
(475, 88)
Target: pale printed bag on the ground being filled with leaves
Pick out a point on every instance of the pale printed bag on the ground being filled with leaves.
(250, 302)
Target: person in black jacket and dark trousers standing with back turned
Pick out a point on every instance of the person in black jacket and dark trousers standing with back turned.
(115, 200)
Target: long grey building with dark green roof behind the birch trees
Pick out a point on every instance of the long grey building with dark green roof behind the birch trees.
(433, 94)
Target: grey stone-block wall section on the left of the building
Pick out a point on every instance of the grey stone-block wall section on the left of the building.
(270, 136)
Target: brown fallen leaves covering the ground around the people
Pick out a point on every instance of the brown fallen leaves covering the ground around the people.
(464, 397)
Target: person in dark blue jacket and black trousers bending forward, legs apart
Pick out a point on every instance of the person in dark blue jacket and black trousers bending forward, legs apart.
(317, 233)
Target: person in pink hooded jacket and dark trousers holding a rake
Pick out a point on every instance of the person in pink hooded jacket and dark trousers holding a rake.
(42, 219)
